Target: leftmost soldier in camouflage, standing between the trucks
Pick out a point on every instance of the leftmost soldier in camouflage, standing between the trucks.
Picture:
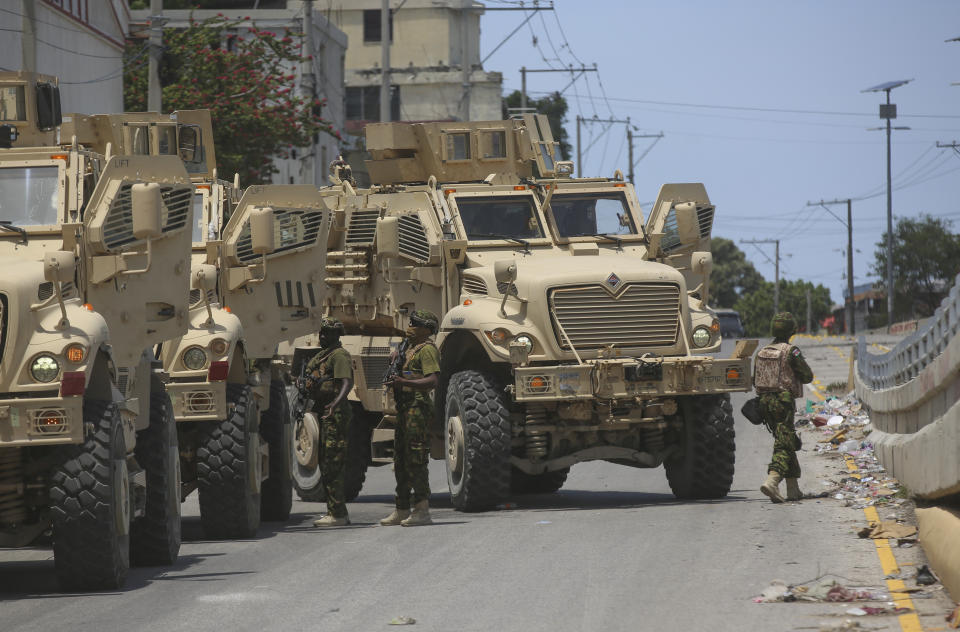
(330, 378)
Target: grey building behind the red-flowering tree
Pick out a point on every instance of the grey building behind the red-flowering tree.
(308, 164)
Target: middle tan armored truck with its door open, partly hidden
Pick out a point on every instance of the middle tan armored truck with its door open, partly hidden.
(228, 388)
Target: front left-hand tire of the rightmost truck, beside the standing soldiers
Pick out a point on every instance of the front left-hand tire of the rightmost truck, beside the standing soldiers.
(477, 440)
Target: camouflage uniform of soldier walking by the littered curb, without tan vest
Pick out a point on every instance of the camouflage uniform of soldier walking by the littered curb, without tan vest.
(777, 408)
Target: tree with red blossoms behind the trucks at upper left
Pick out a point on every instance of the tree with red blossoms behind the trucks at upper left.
(244, 79)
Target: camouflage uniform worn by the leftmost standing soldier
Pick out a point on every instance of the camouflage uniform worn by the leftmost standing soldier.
(327, 369)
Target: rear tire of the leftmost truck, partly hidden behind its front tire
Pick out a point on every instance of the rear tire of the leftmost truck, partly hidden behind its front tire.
(155, 536)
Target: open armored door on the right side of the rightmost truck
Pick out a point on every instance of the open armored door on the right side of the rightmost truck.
(679, 229)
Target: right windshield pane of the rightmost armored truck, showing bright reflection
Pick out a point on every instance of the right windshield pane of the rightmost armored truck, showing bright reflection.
(591, 214)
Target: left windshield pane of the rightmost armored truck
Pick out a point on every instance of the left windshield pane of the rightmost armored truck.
(505, 217)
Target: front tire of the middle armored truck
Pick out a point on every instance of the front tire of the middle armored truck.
(228, 469)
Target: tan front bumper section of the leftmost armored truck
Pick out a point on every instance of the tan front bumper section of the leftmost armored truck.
(41, 421)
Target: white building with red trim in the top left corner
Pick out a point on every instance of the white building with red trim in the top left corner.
(79, 41)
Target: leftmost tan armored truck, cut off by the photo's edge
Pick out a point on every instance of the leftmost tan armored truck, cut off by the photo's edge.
(95, 253)
